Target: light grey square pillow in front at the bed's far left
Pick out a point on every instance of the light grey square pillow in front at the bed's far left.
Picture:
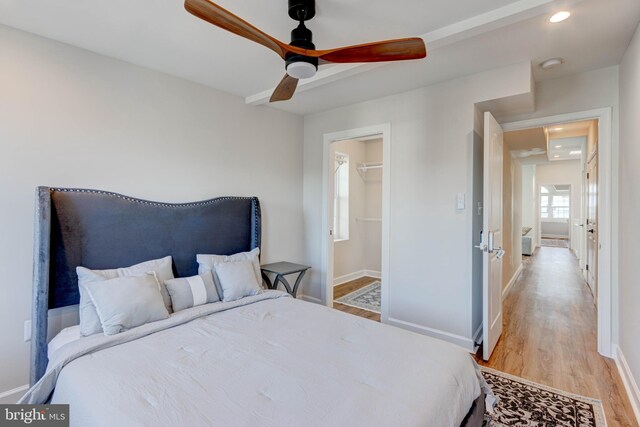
(124, 303)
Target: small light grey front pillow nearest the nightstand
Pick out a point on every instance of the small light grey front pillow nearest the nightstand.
(237, 279)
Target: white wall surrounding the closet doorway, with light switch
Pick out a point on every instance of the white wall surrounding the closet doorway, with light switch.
(431, 160)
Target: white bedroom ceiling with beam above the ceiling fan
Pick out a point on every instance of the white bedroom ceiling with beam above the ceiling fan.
(463, 37)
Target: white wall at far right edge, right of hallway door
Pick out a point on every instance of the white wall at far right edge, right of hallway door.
(630, 211)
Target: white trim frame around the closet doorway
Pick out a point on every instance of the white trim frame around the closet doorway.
(326, 272)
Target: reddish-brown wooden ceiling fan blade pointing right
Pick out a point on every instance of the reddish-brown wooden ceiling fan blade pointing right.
(389, 50)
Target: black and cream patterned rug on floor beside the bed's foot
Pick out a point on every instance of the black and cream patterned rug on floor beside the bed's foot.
(525, 403)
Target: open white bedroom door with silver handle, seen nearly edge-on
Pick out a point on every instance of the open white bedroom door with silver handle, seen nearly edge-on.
(492, 236)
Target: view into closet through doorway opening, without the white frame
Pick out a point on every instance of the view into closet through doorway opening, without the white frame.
(357, 225)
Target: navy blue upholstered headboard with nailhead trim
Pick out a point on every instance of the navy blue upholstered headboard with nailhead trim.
(100, 230)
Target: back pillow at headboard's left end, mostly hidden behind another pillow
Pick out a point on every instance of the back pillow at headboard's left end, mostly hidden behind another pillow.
(89, 320)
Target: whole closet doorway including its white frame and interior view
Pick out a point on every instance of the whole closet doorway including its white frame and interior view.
(356, 190)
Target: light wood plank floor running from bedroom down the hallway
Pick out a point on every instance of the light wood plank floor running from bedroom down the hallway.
(549, 334)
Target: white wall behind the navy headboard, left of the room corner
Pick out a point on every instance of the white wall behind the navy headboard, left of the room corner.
(72, 118)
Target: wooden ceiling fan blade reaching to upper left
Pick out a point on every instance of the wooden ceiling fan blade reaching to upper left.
(218, 16)
